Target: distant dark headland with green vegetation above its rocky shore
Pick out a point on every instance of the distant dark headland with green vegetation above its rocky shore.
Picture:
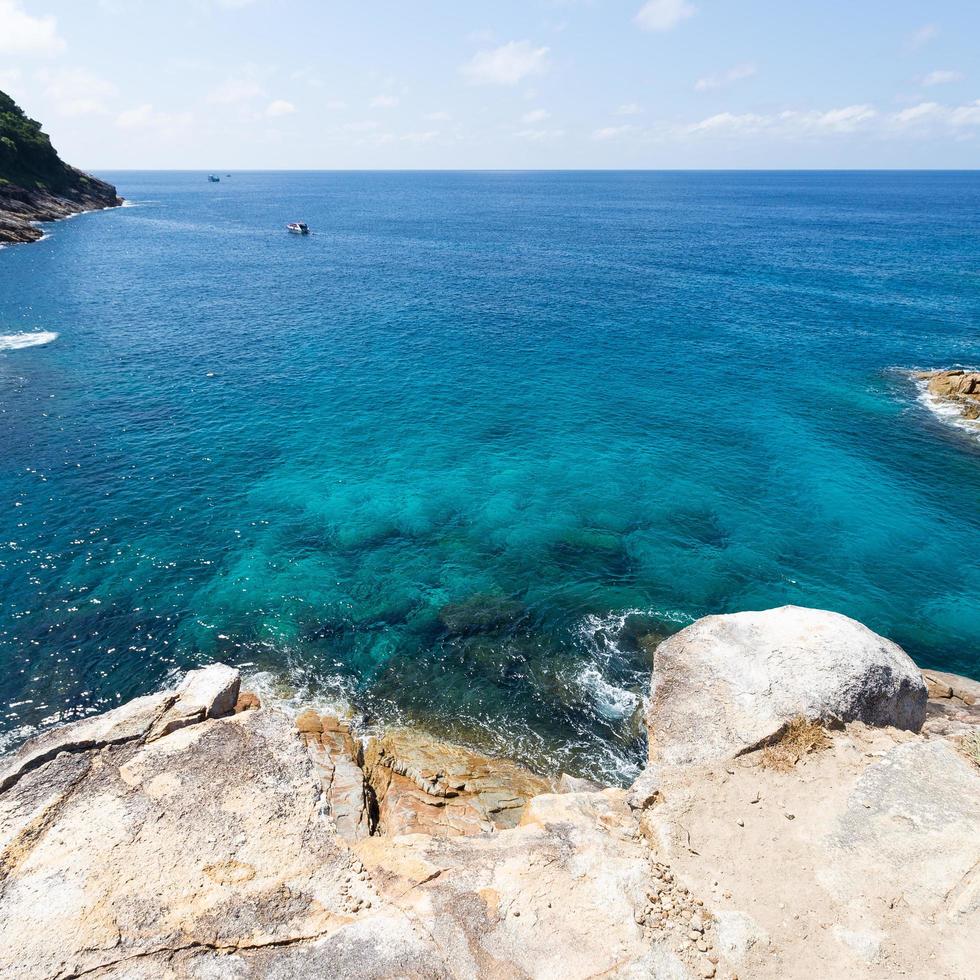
(35, 184)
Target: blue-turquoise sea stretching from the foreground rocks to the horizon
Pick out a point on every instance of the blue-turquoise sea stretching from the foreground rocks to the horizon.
(458, 451)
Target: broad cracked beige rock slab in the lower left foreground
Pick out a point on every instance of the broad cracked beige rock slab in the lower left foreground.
(205, 836)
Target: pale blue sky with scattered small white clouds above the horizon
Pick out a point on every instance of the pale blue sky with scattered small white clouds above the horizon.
(325, 84)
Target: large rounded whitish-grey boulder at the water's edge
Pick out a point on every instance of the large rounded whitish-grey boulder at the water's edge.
(727, 683)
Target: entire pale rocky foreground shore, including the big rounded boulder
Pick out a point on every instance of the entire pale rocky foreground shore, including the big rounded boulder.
(808, 812)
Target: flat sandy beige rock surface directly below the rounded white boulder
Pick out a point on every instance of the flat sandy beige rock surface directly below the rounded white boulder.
(876, 875)
